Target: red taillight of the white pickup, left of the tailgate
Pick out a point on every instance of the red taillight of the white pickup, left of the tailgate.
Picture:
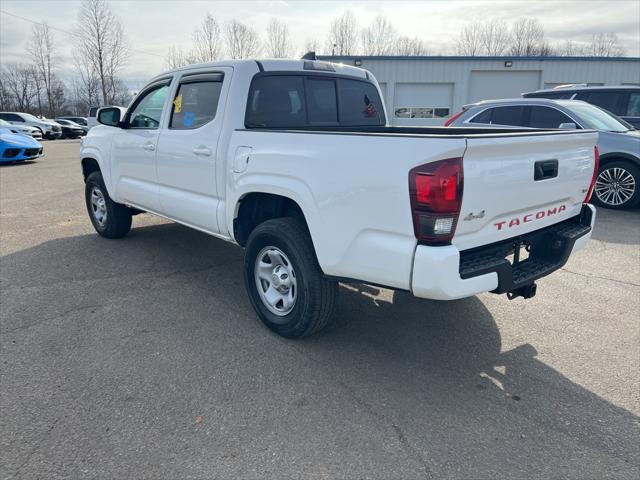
(435, 190)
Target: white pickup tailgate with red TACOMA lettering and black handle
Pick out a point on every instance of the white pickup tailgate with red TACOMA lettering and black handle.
(516, 184)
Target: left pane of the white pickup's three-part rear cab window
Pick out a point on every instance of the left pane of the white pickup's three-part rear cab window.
(277, 101)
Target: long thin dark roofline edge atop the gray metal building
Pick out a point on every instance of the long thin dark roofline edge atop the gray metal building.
(481, 58)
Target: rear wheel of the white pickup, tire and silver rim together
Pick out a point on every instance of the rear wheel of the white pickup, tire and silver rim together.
(285, 284)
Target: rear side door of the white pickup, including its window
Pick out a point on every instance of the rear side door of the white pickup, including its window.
(188, 149)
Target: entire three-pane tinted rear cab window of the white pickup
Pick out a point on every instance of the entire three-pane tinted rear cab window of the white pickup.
(296, 101)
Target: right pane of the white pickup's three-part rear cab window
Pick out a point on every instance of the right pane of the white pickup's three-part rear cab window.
(359, 104)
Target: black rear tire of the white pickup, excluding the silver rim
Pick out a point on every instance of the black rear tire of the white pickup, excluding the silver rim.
(315, 294)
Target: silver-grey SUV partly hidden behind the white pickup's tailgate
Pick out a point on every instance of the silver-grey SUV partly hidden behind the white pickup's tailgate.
(618, 184)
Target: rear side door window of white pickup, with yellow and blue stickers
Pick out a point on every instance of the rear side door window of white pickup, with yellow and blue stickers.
(195, 104)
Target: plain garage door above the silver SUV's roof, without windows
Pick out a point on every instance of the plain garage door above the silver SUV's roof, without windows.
(489, 85)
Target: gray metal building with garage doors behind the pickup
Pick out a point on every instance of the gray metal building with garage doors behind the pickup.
(428, 90)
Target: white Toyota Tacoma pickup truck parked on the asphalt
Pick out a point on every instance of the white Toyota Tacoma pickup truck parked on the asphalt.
(294, 161)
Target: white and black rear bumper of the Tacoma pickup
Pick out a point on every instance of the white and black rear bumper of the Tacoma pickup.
(445, 273)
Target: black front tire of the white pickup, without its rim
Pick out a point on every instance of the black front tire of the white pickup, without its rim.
(117, 222)
